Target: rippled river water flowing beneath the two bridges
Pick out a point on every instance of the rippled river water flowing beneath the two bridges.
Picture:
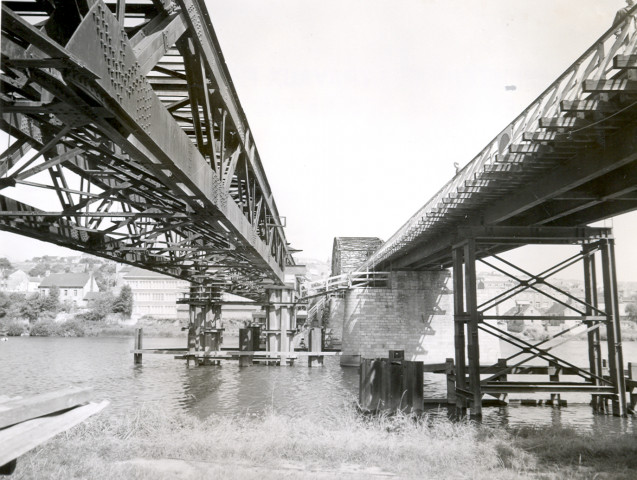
(30, 365)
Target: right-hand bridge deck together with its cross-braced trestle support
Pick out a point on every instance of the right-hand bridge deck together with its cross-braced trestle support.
(567, 160)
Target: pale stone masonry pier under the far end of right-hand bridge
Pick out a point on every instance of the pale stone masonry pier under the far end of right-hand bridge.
(414, 313)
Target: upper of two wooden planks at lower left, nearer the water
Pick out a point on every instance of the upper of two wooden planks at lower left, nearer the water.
(19, 410)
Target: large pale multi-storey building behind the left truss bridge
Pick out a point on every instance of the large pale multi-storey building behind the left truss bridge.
(154, 294)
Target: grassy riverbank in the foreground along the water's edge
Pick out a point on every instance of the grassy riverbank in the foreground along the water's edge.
(155, 445)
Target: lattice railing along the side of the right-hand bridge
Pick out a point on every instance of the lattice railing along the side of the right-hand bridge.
(597, 63)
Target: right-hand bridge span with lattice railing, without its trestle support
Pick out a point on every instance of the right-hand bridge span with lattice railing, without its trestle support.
(568, 159)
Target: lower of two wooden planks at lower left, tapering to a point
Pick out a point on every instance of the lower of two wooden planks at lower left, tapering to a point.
(19, 439)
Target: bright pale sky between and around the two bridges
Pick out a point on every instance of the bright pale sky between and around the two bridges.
(359, 108)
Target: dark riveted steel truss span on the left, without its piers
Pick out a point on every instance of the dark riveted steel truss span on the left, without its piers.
(126, 139)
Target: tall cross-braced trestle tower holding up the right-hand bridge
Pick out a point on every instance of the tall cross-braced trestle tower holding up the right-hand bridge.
(470, 317)
